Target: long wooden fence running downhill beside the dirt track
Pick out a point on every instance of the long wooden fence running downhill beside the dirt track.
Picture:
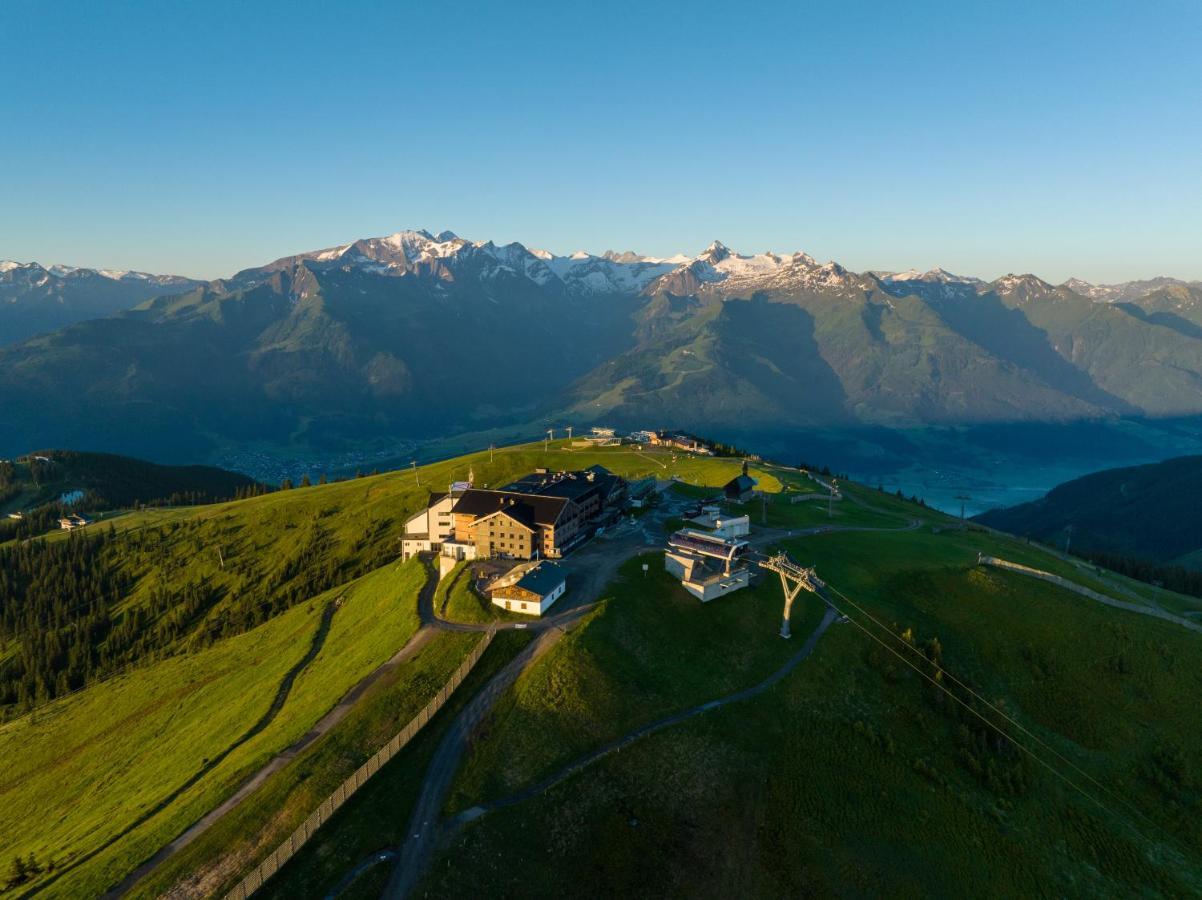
(322, 815)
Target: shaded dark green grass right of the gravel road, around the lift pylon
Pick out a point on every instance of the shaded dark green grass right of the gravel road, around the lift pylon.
(854, 776)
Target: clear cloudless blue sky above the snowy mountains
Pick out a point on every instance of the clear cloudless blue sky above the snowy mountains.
(1063, 139)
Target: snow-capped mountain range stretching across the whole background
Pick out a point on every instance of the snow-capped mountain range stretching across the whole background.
(419, 336)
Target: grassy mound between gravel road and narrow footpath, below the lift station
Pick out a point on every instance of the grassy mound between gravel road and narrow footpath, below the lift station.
(650, 651)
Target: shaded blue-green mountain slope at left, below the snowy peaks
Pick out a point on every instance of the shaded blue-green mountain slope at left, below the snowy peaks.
(322, 359)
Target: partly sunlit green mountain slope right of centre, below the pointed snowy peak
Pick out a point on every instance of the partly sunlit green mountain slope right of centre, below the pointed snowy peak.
(800, 357)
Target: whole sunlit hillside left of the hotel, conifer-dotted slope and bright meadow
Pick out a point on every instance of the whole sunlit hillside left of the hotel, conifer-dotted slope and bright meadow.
(216, 605)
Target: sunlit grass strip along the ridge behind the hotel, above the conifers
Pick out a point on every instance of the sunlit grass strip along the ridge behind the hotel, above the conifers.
(237, 547)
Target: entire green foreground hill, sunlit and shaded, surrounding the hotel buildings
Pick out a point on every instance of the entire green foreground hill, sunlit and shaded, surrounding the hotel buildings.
(828, 770)
